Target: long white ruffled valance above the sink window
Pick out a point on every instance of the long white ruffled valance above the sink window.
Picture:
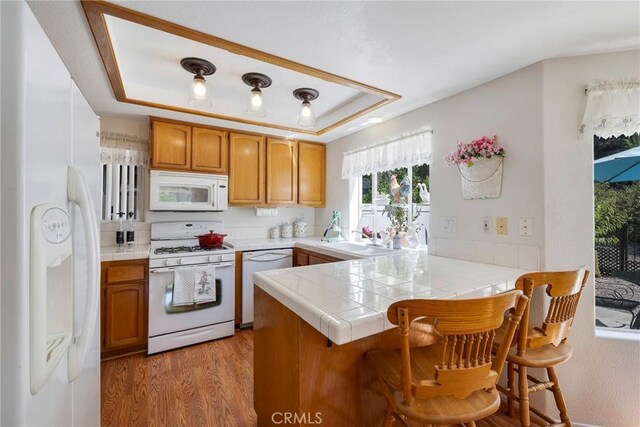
(408, 150)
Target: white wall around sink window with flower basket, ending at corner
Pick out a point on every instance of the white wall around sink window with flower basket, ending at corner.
(509, 107)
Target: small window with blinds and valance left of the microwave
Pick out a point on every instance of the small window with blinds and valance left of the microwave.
(125, 159)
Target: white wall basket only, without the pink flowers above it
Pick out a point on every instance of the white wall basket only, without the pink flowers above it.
(483, 180)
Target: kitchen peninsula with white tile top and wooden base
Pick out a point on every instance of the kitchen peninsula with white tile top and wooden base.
(313, 324)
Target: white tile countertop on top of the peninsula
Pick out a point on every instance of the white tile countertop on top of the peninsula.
(348, 300)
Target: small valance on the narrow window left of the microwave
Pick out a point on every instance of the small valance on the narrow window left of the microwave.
(123, 149)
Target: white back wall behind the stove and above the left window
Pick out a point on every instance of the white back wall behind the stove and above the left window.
(239, 222)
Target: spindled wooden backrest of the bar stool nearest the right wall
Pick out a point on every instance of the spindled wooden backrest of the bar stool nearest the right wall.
(564, 288)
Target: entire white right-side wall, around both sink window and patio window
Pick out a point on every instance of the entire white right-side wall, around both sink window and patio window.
(547, 177)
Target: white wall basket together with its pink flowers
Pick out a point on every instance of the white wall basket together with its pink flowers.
(480, 163)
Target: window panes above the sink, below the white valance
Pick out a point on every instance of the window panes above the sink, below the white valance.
(415, 208)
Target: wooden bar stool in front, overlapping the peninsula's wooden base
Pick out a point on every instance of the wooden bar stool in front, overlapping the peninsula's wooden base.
(452, 381)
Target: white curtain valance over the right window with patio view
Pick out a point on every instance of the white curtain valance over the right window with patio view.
(613, 108)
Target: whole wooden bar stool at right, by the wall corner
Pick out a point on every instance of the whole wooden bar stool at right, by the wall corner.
(543, 346)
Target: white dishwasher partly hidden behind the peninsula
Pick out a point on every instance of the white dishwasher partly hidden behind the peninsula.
(253, 262)
